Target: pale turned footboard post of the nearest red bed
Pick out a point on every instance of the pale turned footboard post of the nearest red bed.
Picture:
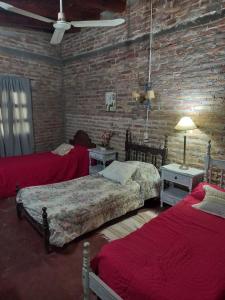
(85, 270)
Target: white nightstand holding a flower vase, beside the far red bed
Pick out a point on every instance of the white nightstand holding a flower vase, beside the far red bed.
(100, 155)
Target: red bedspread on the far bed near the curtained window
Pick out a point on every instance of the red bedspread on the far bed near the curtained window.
(41, 168)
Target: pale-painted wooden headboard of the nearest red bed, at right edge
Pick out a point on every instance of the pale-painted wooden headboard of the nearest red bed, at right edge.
(216, 165)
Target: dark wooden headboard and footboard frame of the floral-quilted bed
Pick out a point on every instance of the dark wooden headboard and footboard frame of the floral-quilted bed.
(133, 152)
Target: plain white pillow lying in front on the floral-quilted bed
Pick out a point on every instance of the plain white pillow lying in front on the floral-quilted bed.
(119, 172)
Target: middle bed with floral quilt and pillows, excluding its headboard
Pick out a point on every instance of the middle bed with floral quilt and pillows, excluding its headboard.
(64, 211)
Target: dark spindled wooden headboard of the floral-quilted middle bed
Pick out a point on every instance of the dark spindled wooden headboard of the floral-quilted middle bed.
(156, 156)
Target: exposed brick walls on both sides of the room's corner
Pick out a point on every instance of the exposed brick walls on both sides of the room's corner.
(188, 76)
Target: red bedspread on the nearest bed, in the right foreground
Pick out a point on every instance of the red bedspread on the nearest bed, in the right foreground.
(179, 255)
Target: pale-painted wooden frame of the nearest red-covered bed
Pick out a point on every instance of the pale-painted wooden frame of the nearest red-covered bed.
(91, 282)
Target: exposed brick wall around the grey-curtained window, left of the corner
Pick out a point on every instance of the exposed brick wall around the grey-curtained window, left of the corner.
(29, 54)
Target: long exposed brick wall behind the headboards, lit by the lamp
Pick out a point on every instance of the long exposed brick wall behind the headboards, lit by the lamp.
(188, 76)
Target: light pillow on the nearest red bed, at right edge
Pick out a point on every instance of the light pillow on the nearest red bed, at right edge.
(213, 202)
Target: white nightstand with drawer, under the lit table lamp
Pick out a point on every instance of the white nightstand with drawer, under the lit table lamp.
(180, 182)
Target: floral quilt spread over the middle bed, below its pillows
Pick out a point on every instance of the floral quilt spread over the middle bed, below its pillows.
(78, 206)
